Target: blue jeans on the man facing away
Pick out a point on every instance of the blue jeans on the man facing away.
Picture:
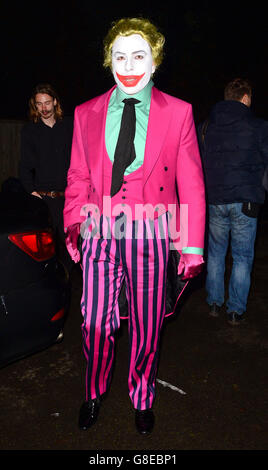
(225, 220)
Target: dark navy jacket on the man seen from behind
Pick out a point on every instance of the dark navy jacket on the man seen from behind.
(234, 154)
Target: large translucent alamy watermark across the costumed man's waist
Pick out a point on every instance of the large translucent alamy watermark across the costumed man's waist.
(148, 221)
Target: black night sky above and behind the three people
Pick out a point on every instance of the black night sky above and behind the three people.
(62, 43)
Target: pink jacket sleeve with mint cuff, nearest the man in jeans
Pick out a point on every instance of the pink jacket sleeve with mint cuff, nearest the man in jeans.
(191, 189)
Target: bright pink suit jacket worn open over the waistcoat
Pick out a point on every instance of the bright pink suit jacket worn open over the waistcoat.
(171, 160)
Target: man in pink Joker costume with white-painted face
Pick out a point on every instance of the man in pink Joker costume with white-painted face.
(110, 176)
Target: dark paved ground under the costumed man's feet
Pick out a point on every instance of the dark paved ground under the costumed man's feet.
(222, 371)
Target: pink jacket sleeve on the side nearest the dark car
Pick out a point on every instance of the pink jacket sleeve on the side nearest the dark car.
(78, 177)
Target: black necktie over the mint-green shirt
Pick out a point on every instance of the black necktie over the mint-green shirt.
(125, 152)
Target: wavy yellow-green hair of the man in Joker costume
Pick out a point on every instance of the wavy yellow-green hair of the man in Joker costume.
(128, 26)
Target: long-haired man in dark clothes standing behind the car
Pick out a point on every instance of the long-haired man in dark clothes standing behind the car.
(45, 156)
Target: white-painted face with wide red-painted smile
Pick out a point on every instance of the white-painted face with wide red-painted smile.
(132, 63)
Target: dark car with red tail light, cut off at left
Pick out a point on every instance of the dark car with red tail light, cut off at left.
(34, 285)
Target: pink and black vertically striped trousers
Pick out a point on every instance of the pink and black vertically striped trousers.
(140, 258)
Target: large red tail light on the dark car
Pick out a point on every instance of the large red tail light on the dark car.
(38, 244)
